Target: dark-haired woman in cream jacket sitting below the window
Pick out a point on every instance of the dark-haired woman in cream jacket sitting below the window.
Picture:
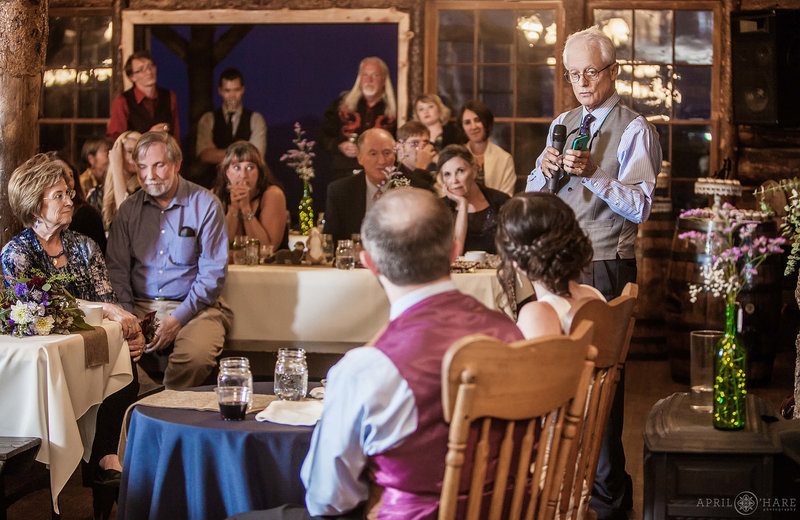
(496, 167)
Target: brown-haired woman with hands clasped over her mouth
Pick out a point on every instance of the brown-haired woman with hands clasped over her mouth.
(253, 200)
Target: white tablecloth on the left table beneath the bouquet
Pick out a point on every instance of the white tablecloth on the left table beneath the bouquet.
(46, 391)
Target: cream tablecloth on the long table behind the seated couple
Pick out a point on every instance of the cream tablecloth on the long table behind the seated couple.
(318, 308)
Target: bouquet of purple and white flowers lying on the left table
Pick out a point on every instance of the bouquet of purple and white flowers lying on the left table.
(39, 306)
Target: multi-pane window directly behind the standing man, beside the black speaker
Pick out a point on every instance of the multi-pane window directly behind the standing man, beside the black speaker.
(667, 63)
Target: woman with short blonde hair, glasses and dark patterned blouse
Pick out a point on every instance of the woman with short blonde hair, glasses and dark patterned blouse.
(42, 200)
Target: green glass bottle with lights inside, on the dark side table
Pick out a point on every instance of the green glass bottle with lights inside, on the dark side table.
(730, 376)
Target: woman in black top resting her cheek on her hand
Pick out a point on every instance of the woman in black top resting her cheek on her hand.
(475, 207)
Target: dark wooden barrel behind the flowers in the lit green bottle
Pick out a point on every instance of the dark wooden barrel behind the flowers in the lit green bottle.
(760, 299)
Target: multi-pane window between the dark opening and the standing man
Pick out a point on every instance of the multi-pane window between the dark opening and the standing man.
(506, 57)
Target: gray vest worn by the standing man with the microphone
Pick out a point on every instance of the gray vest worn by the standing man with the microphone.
(611, 233)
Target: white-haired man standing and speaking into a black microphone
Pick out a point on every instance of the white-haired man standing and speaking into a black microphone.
(611, 159)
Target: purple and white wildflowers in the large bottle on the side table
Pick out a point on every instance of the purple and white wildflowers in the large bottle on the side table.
(736, 251)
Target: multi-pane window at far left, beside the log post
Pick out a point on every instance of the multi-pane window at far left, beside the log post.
(76, 85)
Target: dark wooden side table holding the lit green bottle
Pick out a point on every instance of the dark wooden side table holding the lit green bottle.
(693, 470)
